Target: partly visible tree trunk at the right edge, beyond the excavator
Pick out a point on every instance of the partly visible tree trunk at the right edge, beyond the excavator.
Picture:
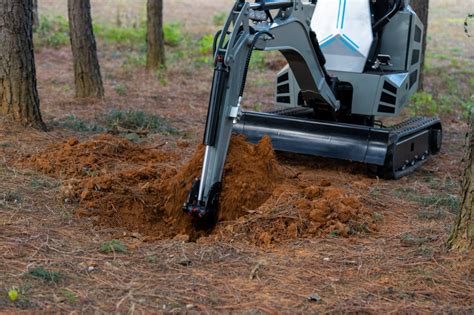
(462, 235)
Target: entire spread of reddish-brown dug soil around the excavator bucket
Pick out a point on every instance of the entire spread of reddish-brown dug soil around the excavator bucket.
(122, 184)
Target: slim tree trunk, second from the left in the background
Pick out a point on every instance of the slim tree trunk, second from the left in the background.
(87, 75)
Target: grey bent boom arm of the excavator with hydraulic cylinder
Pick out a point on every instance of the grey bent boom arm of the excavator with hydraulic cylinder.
(251, 26)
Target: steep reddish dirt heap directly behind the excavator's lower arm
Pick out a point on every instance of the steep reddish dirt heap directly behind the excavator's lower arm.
(251, 173)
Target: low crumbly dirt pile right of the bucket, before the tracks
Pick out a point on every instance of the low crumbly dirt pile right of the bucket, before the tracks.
(302, 209)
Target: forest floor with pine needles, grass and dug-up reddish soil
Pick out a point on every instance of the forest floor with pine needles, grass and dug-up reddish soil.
(89, 211)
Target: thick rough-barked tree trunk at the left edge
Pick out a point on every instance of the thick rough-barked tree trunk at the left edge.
(19, 99)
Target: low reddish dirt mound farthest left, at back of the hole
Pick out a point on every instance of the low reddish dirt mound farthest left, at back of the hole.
(89, 158)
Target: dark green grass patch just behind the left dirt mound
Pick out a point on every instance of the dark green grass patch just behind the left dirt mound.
(138, 121)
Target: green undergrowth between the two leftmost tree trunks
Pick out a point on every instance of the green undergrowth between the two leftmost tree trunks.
(53, 31)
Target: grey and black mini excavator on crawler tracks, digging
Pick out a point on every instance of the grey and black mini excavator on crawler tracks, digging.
(349, 61)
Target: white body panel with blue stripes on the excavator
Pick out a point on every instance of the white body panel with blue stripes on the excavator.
(344, 31)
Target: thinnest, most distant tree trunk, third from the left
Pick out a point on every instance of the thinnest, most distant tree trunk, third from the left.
(155, 57)
